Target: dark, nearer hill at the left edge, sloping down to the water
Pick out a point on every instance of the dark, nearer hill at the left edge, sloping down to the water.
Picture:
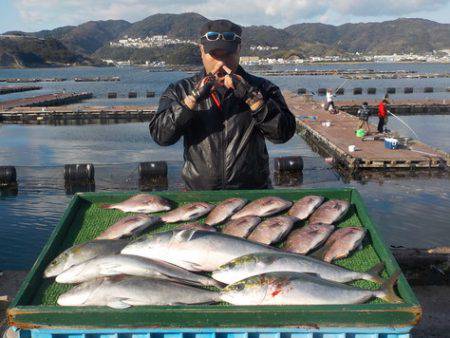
(26, 51)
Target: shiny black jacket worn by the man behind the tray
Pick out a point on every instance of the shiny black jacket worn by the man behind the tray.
(224, 148)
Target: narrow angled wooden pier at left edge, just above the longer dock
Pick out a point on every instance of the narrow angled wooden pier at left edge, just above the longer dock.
(56, 99)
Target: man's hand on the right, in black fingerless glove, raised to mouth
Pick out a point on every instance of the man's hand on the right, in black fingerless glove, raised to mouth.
(243, 90)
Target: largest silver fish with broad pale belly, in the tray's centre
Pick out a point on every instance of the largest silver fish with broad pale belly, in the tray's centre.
(194, 250)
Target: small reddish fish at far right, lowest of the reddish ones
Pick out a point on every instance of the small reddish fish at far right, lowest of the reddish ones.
(344, 241)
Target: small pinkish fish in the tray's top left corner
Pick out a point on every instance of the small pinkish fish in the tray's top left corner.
(141, 203)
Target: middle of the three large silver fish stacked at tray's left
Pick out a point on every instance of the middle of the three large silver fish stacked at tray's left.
(112, 265)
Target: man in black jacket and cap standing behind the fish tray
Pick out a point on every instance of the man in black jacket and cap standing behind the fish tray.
(224, 115)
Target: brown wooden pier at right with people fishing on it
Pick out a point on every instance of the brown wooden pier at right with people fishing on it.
(334, 141)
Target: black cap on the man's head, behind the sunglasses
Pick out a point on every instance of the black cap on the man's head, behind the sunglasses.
(220, 26)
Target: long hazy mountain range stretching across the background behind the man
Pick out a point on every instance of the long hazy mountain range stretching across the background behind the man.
(307, 39)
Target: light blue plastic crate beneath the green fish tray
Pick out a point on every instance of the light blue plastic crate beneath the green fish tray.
(306, 332)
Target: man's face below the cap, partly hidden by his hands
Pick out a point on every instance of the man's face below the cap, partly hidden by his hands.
(214, 61)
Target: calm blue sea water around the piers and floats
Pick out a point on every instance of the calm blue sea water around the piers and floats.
(411, 211)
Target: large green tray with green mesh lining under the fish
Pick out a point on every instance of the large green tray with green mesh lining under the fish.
(35, 313)
